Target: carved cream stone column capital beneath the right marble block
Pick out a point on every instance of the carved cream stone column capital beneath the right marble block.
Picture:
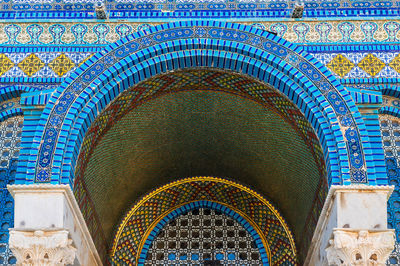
(360, 247)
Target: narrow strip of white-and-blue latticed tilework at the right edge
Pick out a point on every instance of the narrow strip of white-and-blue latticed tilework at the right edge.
(390, 130)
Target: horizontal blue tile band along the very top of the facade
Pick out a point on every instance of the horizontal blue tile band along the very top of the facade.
(179, 9)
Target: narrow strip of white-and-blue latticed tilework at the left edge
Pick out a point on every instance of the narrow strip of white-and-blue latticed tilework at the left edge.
(10, 140)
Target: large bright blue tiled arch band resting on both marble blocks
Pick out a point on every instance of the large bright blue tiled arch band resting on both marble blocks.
(251, 51)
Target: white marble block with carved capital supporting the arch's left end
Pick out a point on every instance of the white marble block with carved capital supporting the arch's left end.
(48, 220)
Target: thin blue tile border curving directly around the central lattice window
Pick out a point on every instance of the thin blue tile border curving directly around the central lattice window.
(253, 230)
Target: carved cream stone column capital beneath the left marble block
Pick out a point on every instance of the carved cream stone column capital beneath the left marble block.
(42, 247)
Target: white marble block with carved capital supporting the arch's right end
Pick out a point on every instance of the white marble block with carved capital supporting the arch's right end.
(352, 227)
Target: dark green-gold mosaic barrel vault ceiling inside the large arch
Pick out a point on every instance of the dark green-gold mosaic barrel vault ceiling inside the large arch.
(200, 123)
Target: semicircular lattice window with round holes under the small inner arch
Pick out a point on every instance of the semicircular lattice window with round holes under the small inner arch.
(203, 235)
